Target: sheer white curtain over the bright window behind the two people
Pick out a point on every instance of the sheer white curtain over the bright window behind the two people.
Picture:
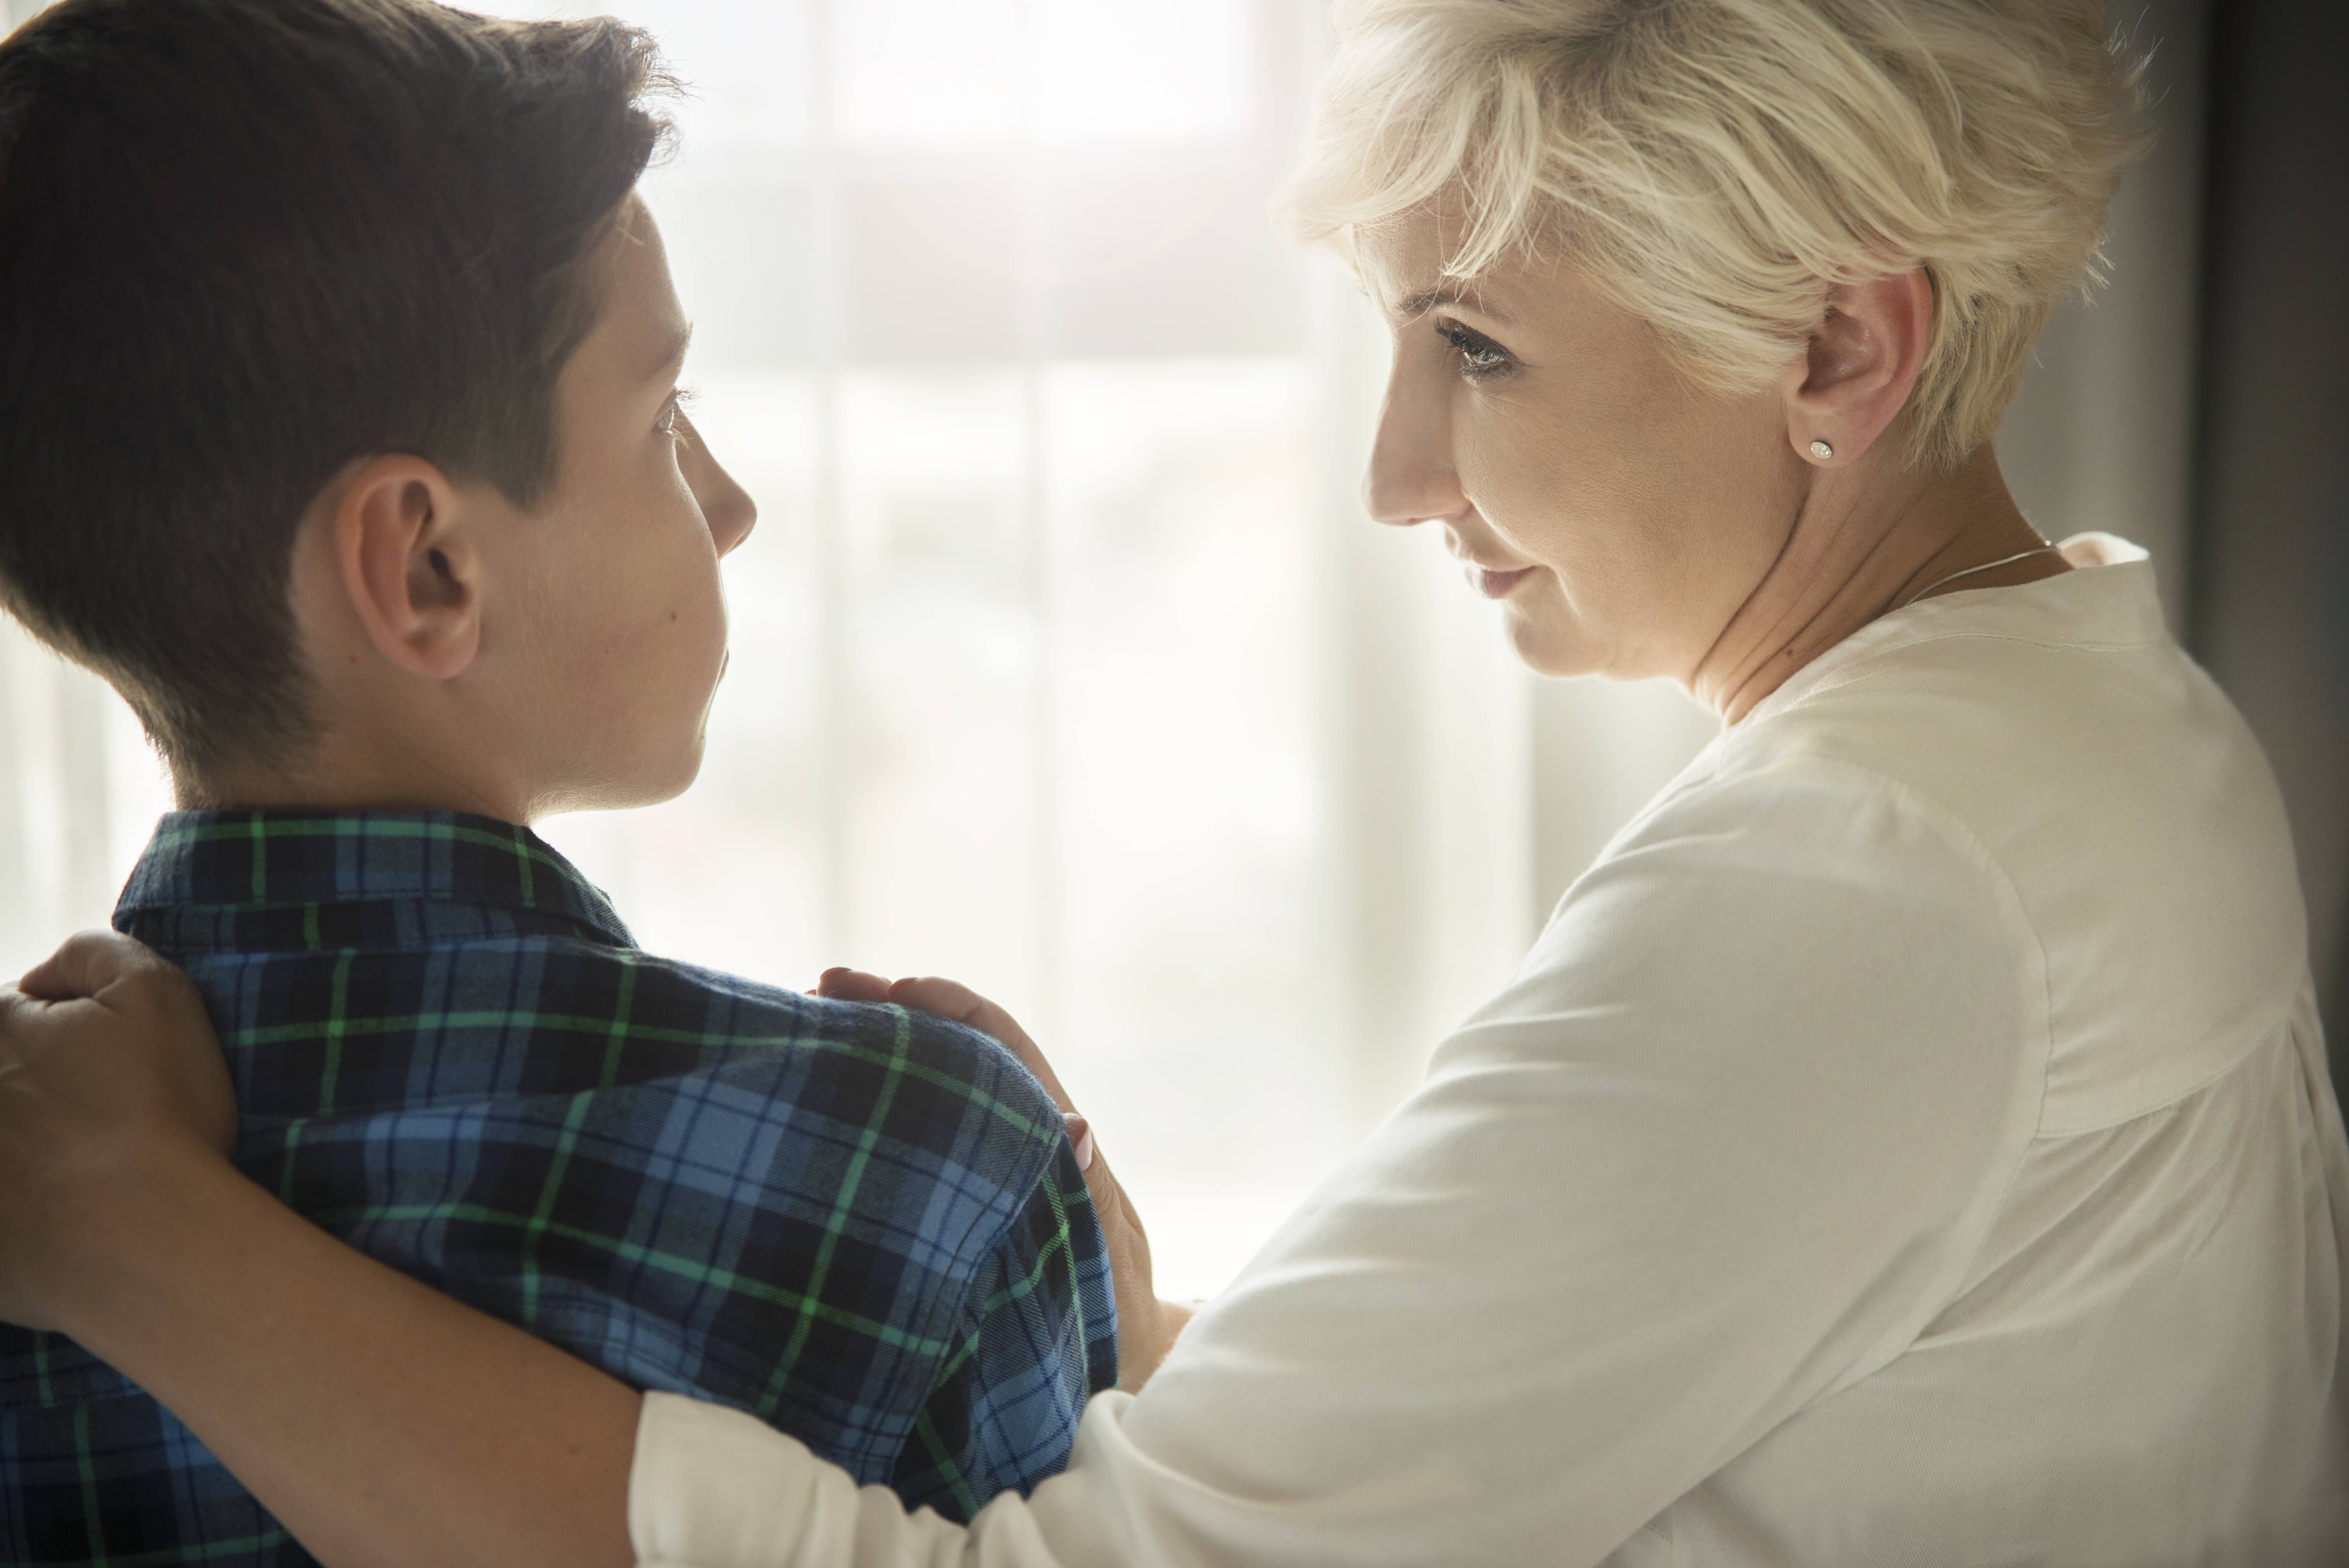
(1063, 656)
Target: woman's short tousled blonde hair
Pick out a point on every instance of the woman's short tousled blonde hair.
(1718, 165)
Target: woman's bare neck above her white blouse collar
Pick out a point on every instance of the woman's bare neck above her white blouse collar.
(1866, 541)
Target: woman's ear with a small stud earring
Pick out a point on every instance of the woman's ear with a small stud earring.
(1859, 367)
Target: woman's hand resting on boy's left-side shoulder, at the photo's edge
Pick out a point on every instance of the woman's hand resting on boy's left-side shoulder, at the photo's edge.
(112, 1081)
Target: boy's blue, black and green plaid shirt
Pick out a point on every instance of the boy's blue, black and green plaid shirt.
(859, 1224)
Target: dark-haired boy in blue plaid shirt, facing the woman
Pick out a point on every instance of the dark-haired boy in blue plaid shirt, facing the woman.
(339, 431)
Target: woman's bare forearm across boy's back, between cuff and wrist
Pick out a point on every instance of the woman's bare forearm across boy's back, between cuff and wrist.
(382, 1421)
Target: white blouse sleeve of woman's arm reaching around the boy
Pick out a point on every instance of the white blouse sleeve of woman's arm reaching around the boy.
(1723, 1149)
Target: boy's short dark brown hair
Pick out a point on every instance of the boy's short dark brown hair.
(245, 243)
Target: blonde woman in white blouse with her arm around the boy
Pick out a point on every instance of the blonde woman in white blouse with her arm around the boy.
(1906, 1144)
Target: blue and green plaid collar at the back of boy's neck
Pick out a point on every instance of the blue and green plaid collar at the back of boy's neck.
(260, 860)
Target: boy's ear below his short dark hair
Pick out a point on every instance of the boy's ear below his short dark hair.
(408, 567)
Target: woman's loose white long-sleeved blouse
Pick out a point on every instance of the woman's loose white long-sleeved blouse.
(1909, 1144)
